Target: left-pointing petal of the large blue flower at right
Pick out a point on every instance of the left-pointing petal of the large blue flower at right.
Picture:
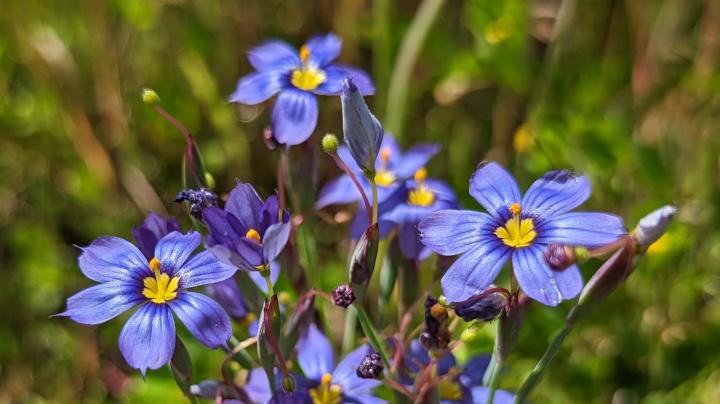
(453, 232)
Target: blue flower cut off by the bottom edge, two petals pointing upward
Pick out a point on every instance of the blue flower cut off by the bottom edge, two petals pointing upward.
(330, 384)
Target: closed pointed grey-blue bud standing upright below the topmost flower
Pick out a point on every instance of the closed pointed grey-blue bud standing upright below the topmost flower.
(361, 130)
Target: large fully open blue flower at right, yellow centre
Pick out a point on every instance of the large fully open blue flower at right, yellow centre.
(517, 228)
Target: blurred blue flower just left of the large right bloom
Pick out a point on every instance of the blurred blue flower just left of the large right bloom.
(420, 196)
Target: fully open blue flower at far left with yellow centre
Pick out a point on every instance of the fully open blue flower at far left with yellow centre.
(126, 279)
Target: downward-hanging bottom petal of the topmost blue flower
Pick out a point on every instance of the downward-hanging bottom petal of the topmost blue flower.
(294, 116)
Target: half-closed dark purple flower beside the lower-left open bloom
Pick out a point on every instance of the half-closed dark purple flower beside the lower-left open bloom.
(248, 233)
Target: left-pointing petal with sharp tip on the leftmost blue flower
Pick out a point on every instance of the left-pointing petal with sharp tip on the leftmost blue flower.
(100, 303)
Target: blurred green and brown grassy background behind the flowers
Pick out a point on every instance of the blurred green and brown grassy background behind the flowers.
(624, 91)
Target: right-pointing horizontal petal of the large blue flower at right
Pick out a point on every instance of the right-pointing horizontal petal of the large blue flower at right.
(589, 229)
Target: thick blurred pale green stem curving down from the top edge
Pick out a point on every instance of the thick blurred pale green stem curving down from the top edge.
(407, 56)
